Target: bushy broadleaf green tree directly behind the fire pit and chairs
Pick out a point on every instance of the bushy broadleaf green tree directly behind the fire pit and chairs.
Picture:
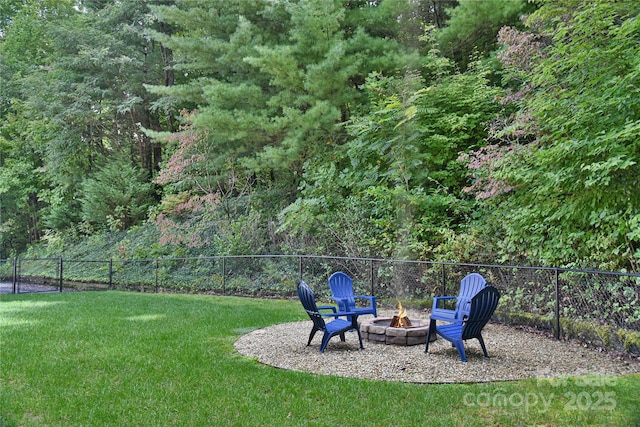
(394, 187)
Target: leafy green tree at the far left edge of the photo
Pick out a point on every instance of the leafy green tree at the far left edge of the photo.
(26, 55)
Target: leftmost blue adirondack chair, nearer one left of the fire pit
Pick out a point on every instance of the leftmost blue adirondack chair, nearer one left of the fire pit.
(335, 327)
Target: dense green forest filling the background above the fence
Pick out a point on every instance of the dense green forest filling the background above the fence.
(501, 131)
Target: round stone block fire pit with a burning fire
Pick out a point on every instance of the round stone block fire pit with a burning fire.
(378, 330)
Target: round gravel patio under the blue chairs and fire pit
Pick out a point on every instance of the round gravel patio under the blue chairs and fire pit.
(515, 354)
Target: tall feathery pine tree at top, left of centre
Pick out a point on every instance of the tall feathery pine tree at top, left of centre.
(272, 82)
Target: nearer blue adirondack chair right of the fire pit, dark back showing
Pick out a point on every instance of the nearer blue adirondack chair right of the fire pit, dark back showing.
(483, 304)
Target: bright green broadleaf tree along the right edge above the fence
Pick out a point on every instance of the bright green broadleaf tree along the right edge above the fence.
(568, 159)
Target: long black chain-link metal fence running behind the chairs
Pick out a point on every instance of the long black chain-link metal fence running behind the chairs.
(568, 302)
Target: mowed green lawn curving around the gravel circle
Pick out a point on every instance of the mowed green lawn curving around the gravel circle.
(130, 359)
